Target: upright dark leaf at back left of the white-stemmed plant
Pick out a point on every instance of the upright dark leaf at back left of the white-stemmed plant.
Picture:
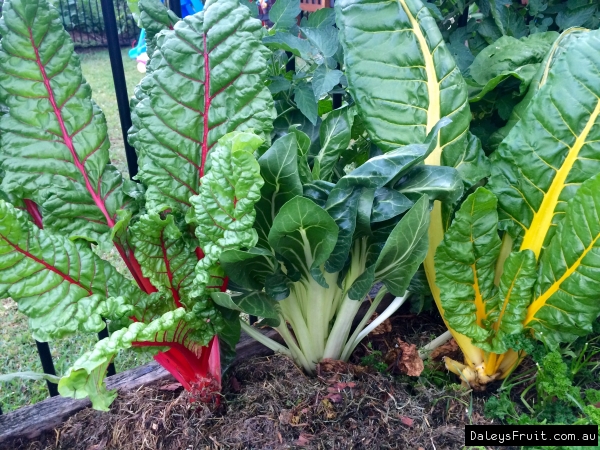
(279, 170)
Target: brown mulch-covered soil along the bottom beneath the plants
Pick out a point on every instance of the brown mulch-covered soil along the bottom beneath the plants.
(270, 404)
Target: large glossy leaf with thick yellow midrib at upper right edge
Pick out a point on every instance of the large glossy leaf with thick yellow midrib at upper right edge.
(554, 147)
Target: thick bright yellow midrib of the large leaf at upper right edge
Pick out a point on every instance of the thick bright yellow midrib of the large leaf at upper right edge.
(542, 220)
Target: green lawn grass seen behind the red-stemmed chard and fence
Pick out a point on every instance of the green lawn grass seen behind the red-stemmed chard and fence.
(17, 348)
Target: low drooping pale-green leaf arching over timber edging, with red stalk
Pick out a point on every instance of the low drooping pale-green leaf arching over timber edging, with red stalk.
(175, 330)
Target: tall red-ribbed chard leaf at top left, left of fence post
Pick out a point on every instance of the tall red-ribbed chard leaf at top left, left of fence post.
(54, 142)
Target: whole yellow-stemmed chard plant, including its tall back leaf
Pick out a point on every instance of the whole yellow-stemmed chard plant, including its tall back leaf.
(519, 256)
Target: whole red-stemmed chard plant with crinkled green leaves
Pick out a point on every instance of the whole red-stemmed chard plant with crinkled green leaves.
(199, 182)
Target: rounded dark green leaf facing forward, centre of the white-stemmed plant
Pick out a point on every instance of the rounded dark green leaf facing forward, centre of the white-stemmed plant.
(304, 234)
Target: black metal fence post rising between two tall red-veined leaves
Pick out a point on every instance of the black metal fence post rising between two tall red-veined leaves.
(116, 64)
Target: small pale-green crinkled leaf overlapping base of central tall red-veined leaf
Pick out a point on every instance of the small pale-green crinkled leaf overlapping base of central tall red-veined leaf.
(224, 209)
